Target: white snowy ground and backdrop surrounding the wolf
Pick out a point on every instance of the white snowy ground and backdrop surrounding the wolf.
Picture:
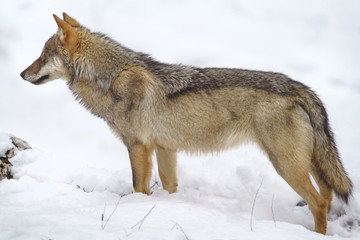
(77, 170)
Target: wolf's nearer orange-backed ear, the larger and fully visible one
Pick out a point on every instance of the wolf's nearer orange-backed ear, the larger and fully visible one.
(69, 38)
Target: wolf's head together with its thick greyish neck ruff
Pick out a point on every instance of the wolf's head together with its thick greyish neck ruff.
(75, 53)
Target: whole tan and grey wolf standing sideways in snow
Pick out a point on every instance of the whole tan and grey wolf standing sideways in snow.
(154, 106)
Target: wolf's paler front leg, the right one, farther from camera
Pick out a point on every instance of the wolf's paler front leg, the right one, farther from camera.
(167, 168)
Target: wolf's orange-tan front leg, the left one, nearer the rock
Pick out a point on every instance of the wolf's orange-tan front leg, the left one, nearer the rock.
(141, 165)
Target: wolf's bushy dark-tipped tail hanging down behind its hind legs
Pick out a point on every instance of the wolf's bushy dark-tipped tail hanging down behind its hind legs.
(325, 157)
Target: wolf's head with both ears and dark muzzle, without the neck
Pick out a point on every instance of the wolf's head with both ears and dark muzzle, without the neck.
(54, 60)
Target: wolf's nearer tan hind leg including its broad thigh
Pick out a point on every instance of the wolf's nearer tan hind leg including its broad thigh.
(287, 138)
